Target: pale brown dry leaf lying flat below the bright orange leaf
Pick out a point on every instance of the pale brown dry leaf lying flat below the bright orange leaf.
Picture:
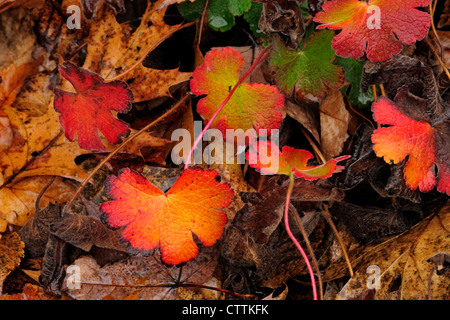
(135, 276)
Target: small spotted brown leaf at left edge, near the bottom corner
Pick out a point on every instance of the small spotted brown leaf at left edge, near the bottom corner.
(11, 252)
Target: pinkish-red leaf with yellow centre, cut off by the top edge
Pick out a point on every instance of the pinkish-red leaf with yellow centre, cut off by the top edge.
(377, 27)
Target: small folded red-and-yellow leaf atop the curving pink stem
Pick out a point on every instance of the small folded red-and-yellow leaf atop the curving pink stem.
(290, 161)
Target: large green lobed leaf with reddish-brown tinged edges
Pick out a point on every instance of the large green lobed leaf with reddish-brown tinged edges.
(309, 70)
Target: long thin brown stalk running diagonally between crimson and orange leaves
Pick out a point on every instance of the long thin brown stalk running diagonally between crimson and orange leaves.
(120, 147)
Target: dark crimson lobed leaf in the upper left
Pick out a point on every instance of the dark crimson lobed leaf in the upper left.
(89, 110)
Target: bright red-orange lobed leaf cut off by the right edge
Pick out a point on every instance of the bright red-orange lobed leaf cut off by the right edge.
(415, 136)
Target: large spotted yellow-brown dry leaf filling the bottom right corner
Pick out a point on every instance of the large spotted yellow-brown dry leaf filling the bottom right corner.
(406, 273)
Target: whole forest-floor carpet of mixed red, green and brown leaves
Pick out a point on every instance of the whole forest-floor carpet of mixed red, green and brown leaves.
(114, 204)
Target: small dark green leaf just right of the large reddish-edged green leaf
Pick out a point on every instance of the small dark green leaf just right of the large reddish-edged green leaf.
(353, 72)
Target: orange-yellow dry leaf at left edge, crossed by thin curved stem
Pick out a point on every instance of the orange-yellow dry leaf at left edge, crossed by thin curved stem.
(17, 201)
